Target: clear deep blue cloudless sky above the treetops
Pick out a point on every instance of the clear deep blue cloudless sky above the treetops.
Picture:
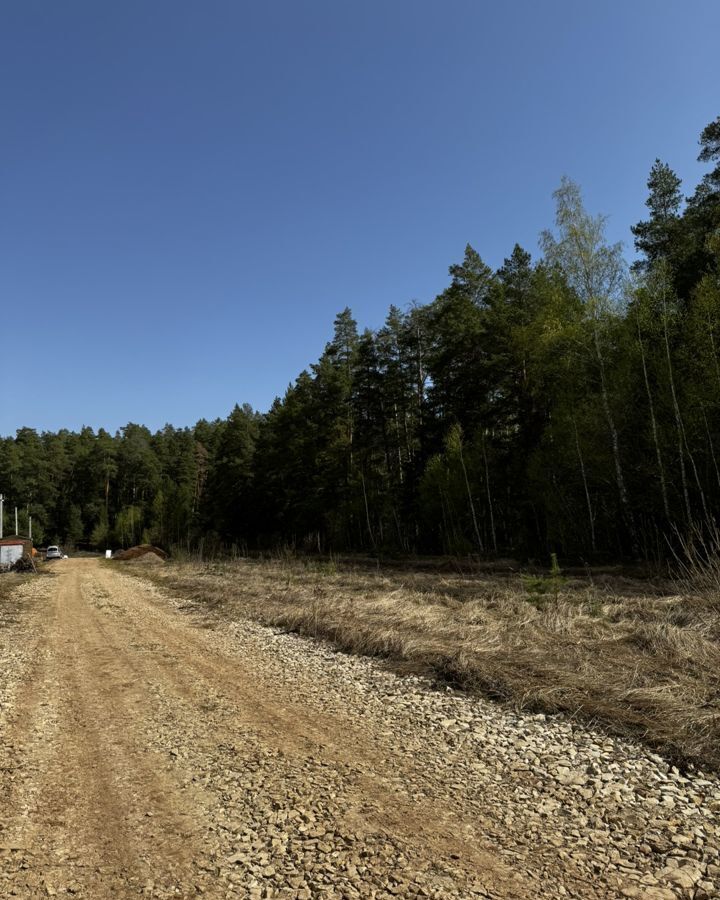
(190, 191)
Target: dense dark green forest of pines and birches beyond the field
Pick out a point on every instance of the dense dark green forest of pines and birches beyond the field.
(569, 404)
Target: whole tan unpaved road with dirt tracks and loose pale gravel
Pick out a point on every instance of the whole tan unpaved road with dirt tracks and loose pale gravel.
(148, 751)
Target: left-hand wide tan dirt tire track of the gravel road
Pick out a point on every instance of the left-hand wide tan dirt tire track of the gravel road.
(90, 802)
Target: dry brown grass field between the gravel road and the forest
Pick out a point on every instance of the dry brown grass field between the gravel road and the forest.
(631, 656)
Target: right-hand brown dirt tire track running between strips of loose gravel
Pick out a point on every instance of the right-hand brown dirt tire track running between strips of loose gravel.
(191, 667)
